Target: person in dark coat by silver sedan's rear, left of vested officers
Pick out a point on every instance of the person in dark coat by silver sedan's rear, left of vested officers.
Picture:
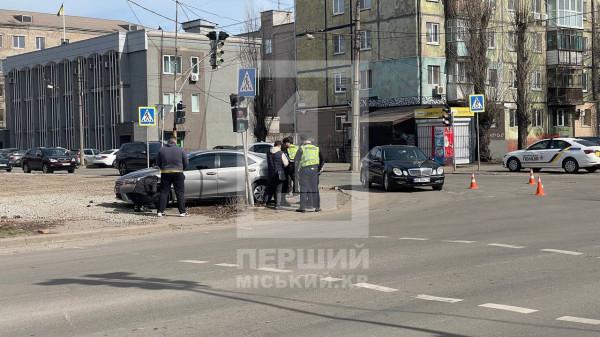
(277, 161)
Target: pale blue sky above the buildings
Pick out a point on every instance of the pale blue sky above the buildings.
(228, 14)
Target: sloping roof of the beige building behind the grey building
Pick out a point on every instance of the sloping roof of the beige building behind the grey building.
(10, 18)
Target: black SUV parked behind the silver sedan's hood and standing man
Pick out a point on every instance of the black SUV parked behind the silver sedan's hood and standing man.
(132, 156)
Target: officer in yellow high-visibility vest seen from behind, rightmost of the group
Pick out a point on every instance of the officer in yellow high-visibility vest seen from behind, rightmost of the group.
(309, 162)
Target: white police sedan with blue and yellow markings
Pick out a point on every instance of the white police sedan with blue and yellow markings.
(569, 153)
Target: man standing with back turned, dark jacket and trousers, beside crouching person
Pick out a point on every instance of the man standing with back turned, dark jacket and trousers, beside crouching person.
(172, 160)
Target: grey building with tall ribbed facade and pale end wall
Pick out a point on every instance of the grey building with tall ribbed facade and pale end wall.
(121, 72)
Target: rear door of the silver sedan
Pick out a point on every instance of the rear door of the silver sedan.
(231, 177)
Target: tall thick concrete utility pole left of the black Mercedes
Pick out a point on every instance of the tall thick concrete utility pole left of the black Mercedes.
(355, 164)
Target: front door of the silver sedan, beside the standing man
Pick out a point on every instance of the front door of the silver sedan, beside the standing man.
(201, 177)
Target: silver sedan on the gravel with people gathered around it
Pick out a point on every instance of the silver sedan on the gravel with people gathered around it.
(211, 174)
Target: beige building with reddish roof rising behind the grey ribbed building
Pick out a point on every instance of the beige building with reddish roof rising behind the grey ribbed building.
(23, 32)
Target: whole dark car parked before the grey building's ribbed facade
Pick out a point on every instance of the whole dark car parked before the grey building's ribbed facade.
(48, 160)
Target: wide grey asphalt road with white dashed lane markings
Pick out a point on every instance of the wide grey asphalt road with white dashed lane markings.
(497, 261)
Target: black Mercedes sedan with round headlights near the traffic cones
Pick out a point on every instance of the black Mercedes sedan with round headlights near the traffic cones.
(395, 166)
